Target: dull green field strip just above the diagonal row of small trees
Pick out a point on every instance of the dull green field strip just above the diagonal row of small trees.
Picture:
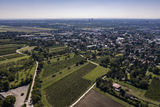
(54, 67)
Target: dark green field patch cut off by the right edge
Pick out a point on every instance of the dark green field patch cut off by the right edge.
(154, 90)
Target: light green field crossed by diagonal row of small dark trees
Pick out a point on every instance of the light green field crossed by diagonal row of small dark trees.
(57, 68)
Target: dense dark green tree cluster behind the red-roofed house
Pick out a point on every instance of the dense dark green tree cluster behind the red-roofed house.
(121, 69)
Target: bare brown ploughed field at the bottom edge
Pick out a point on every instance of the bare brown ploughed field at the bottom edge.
(95, 99)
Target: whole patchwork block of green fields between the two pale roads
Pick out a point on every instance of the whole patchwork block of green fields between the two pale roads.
(63, 71)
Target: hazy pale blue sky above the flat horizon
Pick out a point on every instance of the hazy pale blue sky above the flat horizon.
(79, 9)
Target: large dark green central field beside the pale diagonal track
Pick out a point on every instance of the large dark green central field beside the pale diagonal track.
(70, 87)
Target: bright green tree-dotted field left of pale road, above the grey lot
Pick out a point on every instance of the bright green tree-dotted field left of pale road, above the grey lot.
(16, 71)
